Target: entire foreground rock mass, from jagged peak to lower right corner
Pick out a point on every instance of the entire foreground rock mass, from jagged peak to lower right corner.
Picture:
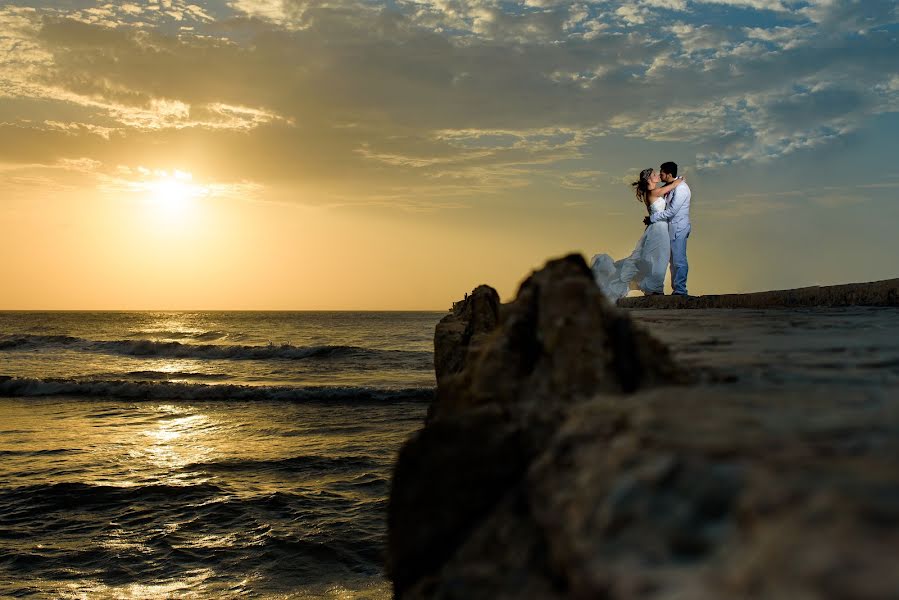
(567, 456)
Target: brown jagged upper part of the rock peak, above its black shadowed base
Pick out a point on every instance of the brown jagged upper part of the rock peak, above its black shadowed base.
(560, 339)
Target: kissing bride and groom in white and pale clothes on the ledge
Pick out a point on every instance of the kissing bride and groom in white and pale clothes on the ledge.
(665, 239)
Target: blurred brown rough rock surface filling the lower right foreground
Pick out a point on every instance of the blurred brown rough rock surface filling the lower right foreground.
(642, 500)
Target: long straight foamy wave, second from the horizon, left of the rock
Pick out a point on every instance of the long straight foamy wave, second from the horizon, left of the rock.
(163, 390)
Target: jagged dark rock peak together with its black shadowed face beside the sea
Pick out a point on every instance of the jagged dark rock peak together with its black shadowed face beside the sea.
(504, 375)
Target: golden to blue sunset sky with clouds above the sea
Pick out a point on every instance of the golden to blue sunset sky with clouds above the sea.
(378, 155)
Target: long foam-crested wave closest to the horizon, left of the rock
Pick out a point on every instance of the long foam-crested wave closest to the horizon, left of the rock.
(207, 351)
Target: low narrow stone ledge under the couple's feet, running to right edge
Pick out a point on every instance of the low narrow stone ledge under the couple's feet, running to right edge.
(876, 293)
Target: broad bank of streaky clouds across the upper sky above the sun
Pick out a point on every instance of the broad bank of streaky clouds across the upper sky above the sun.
(429, 96)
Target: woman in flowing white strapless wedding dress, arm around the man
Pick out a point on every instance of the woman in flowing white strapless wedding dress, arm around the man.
(645, 268)
